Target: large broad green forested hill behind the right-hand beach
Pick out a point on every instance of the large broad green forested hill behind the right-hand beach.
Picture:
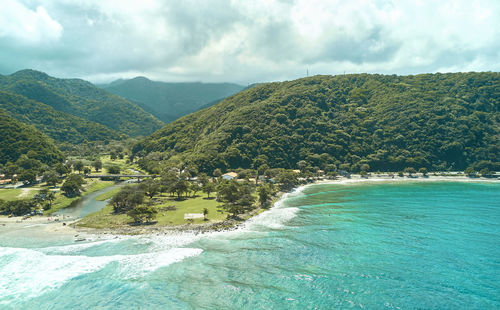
(437, 121)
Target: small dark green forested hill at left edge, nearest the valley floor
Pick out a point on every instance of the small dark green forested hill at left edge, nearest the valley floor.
(17, 139)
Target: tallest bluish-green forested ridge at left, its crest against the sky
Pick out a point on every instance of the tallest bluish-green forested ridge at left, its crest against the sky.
(82, 99)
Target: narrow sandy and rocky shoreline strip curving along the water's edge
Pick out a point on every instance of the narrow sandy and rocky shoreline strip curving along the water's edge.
(69, 226)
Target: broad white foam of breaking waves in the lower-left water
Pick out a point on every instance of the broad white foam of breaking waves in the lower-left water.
(31, 272)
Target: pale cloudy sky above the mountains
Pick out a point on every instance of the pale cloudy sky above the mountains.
(247, 41)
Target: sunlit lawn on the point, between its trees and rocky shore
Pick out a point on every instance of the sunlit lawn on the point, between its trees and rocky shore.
(106, 219)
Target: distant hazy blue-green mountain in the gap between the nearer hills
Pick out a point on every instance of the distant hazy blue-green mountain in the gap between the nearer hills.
(169, 101)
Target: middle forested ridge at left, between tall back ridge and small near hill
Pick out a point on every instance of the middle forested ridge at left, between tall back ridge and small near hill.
(60, 126)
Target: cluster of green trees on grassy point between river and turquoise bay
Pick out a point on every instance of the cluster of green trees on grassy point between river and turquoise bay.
(237, 197)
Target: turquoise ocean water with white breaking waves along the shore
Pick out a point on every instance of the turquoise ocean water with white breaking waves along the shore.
(419, 245)
